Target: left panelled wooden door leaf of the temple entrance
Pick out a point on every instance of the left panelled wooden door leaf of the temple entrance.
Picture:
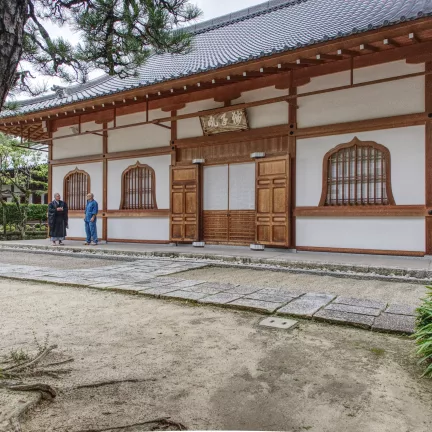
(184, 220)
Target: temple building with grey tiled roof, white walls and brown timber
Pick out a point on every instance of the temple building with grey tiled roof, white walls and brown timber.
(304, 125)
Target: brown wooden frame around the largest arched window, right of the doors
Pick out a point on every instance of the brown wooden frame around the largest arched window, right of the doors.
(356, 142)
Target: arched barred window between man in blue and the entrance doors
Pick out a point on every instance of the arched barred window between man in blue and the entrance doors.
(138, 188)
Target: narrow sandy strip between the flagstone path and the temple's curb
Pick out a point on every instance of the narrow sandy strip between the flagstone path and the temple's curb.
(390, 292)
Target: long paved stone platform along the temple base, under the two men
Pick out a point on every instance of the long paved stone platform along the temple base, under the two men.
(373, 266)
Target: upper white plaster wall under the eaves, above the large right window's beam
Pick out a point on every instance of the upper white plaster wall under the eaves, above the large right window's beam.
(379, 100)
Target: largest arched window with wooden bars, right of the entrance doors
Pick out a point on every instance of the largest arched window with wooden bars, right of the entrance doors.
(357, 173)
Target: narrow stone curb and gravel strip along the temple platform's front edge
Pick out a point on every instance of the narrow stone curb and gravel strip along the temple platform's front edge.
(353, 271)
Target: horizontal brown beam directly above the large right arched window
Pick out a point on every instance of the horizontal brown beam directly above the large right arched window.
(363, 125)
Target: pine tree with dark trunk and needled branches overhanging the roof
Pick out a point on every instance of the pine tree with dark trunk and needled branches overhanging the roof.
(117, 36)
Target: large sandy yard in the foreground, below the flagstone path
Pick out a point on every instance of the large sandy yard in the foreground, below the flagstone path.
(210, 368)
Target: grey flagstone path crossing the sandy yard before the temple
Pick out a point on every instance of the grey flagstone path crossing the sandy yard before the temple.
(148, 277)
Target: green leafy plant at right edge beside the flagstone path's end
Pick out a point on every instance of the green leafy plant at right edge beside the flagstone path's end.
(423, 334)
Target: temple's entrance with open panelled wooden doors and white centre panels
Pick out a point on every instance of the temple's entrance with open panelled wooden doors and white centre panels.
(242, 203)
